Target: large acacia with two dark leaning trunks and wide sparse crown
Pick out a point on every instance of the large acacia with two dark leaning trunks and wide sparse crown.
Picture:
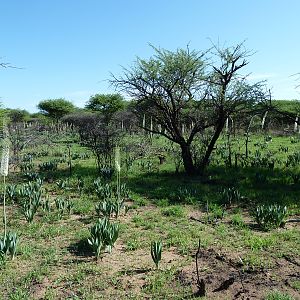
(182, 87)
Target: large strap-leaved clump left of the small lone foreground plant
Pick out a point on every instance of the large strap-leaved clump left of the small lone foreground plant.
(103, 236)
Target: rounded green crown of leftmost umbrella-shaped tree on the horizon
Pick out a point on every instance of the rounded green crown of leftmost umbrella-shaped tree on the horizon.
(56, 108)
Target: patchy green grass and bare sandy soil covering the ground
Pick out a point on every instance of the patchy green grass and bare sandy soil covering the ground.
(54, 260)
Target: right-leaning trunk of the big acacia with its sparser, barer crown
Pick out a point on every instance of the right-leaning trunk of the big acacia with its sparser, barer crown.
(229, 94)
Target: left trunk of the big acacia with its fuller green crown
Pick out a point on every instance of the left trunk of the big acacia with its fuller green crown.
(164, 87)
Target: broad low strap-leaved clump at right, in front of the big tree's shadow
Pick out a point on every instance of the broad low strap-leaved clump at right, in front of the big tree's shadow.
(270, 216)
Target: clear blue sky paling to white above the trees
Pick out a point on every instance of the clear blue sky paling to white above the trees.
(68, 48)
